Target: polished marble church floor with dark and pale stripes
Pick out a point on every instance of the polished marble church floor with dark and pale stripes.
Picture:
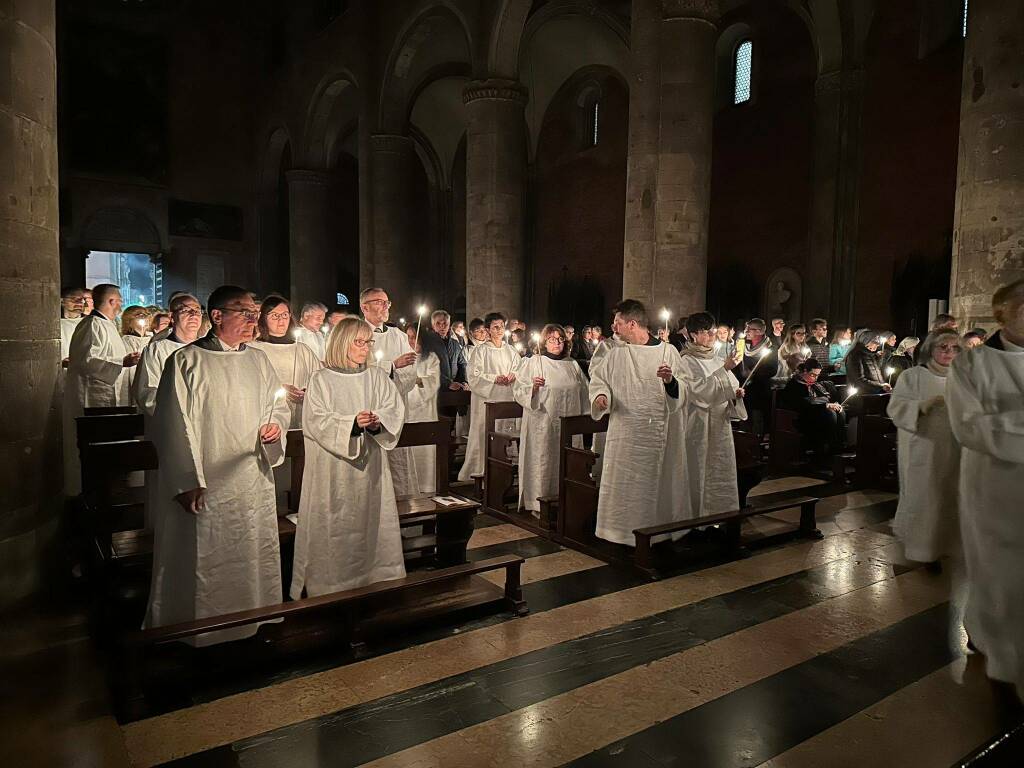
(837, 653)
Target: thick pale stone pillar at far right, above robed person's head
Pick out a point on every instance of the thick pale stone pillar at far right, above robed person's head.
(989, 225)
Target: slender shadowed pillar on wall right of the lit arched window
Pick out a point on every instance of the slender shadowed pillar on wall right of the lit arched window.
(837, 153)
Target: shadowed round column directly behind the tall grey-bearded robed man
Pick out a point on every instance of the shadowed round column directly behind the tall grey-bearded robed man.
(396, 259)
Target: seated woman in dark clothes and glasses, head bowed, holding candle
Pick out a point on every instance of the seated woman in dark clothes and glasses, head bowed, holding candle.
(821, 418)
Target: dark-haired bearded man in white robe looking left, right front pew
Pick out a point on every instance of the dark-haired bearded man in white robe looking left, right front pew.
(633, 381)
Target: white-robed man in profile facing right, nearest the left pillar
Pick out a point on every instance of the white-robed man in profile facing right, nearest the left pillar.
(98, 361)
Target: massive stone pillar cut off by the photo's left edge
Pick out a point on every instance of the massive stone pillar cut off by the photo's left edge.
(30, 447)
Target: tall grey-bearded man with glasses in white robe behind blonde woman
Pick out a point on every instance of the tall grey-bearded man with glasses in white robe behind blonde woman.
(394, 354)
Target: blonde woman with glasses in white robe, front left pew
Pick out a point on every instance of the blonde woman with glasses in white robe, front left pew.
(349, 534)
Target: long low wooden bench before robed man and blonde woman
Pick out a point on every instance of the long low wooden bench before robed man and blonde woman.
(361, 614)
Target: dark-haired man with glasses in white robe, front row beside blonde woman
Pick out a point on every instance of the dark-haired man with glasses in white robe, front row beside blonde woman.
(220, 430)
